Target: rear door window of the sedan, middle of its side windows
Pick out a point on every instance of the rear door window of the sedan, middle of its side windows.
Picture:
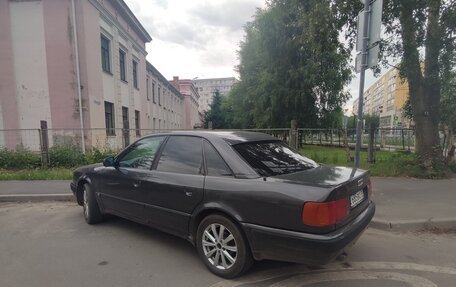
(182, 154)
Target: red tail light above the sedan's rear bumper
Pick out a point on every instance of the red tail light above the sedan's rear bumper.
(324, 213)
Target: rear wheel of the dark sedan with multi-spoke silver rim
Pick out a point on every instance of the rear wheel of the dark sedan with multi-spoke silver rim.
(223, 247)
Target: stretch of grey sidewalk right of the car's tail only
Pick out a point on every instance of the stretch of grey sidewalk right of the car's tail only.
(405, 204)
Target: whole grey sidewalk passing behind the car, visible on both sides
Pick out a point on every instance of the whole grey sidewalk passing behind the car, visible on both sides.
(403, 204)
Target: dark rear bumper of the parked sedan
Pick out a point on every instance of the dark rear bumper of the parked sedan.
(284, 245)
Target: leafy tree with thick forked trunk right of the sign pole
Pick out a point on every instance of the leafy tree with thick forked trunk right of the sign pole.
(421, 33)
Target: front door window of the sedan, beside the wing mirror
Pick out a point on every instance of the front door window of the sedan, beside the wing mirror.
(142, 154)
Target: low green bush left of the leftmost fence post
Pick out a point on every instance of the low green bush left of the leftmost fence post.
(19, 159)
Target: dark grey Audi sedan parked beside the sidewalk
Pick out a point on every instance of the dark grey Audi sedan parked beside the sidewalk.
(236, 196)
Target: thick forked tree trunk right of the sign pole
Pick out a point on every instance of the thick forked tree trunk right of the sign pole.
(424, 90)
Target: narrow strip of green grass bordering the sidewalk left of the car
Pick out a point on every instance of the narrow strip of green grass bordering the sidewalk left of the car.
(37, 174)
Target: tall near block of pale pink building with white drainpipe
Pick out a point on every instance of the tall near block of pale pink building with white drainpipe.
(39, 71)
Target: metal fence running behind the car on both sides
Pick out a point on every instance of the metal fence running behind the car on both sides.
(115, 139)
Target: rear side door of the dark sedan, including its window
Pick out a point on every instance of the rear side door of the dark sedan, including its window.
(175, 186)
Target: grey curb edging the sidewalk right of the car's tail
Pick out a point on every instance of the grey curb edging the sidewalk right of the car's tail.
(414, 225)
